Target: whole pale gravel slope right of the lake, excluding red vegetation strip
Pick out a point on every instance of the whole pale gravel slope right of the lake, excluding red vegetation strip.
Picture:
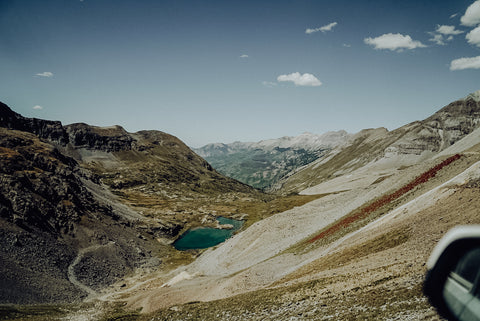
(372, 272)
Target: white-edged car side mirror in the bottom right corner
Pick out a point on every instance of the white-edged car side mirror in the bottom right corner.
(452, 280)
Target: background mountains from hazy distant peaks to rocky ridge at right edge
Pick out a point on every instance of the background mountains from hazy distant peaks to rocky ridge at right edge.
(272, 165)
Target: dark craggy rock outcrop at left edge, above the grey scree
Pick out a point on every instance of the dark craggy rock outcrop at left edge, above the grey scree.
(39, 186)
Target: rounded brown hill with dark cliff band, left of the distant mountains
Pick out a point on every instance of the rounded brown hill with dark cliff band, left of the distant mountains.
(153, 161)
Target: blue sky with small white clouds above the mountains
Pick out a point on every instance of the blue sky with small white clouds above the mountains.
(221, 71)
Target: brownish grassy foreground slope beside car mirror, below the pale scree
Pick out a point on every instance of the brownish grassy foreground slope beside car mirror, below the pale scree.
(374, 275)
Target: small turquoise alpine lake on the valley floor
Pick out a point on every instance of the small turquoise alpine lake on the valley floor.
(204, 237)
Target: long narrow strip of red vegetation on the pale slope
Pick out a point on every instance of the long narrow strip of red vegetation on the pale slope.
(384, 200)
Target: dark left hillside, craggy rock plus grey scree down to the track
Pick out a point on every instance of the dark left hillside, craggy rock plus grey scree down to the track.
(47, 215)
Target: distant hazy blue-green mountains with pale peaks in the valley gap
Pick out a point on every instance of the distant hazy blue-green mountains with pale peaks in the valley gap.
(262, 164)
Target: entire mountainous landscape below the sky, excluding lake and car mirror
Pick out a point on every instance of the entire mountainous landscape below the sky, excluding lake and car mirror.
(90, 213)
